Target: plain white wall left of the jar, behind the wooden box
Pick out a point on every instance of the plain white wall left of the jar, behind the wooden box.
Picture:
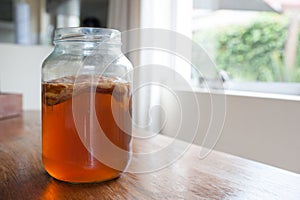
(20, 71)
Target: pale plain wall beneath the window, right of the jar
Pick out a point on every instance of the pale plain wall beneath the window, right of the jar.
(265, 129)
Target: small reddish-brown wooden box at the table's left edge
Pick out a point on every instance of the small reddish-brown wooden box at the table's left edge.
(10, 105)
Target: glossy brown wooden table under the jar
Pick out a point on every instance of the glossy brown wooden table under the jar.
(218, 176)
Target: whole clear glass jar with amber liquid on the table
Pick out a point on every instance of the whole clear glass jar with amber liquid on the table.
(86, 106)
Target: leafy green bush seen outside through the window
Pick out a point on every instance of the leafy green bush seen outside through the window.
(255, 52)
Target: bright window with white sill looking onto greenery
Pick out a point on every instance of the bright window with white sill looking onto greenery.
(255, 47)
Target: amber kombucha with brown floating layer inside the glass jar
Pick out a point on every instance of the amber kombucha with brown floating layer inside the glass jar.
(65, 157)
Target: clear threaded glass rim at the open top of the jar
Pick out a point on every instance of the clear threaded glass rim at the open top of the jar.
(87, 34)
